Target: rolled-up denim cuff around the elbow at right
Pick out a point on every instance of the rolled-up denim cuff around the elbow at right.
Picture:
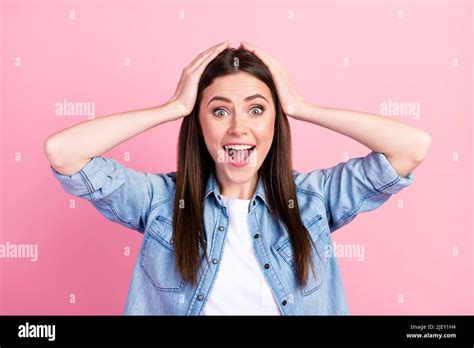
(382, 175)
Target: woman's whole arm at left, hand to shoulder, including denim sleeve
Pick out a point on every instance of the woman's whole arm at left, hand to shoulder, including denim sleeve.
(121, 194)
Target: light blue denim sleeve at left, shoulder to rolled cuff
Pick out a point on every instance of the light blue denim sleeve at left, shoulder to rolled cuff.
(121, 194)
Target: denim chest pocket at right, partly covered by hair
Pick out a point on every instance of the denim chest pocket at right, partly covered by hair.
(318, 230)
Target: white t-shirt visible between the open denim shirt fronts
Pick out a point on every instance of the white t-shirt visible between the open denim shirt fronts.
(240, 288)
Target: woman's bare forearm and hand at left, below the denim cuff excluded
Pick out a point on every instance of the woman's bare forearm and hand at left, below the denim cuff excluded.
(71, 149)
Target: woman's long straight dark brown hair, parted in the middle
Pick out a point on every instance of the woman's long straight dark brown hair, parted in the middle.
(195, 165)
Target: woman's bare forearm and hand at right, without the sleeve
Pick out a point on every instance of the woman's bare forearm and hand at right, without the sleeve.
(404, 146)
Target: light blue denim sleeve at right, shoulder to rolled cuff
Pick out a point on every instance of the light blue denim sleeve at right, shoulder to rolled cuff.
(358, 185)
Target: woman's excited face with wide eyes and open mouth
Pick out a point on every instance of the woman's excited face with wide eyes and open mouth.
(237, 118)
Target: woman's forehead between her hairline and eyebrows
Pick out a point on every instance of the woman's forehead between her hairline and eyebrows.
(236, 87)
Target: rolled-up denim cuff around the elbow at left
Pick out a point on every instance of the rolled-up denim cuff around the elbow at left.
(89, 179)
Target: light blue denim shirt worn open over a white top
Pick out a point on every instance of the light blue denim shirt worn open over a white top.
(327, 198)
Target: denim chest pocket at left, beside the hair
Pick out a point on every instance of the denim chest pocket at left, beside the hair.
(158, 260)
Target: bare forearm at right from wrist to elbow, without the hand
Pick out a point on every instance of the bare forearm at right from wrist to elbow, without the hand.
(405, 146)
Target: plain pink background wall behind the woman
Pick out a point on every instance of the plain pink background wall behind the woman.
(410, 264)
